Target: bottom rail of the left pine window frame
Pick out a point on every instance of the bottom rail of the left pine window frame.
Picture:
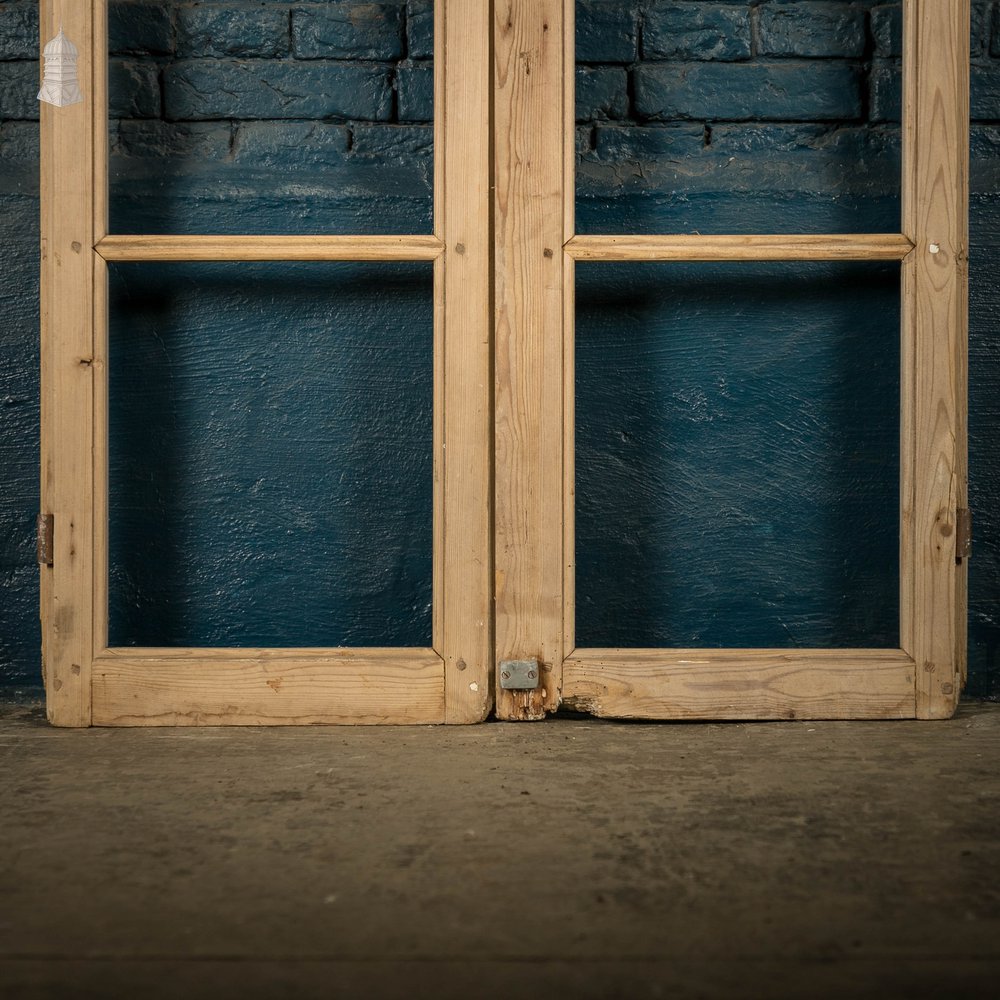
(257, 687)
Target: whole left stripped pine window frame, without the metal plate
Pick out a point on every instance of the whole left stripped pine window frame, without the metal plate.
(216, 686)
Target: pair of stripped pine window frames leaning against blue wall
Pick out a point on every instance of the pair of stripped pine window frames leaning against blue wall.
(529, 573)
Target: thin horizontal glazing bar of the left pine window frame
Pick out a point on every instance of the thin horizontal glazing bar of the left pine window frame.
(236, 248)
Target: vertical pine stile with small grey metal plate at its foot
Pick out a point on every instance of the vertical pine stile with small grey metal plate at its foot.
(529, 52)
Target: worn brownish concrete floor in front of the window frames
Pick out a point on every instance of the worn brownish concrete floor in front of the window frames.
(572, 858)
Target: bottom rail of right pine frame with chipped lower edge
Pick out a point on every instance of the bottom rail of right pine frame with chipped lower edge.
(740, 683)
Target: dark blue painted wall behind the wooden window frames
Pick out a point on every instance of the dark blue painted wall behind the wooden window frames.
(270, 439)
